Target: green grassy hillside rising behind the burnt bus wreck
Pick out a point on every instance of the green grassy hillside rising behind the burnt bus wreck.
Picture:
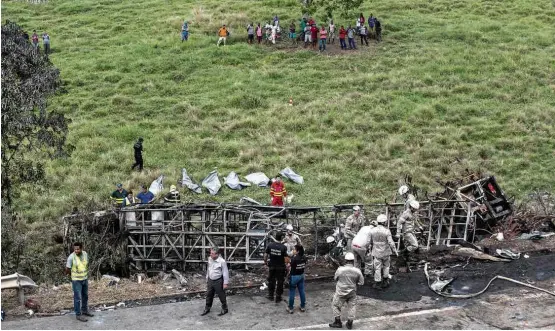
(473, 79)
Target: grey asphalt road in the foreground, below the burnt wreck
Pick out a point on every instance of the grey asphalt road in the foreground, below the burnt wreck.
(408, 304)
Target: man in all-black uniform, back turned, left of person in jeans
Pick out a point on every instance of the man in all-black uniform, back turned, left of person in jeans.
(276, 252)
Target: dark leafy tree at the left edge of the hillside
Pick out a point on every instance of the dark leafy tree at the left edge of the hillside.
(30, 133)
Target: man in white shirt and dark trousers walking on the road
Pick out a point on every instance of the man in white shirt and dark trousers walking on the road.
(217, 277)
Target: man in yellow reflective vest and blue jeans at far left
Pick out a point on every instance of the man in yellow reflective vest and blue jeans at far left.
(78, 266)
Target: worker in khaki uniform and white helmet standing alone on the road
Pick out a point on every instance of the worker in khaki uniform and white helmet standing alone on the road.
(347, 278)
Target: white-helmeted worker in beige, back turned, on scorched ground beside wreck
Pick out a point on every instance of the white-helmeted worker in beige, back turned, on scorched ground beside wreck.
(381, 246)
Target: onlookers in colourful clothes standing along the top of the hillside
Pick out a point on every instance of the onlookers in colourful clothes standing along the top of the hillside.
(308, 32)
